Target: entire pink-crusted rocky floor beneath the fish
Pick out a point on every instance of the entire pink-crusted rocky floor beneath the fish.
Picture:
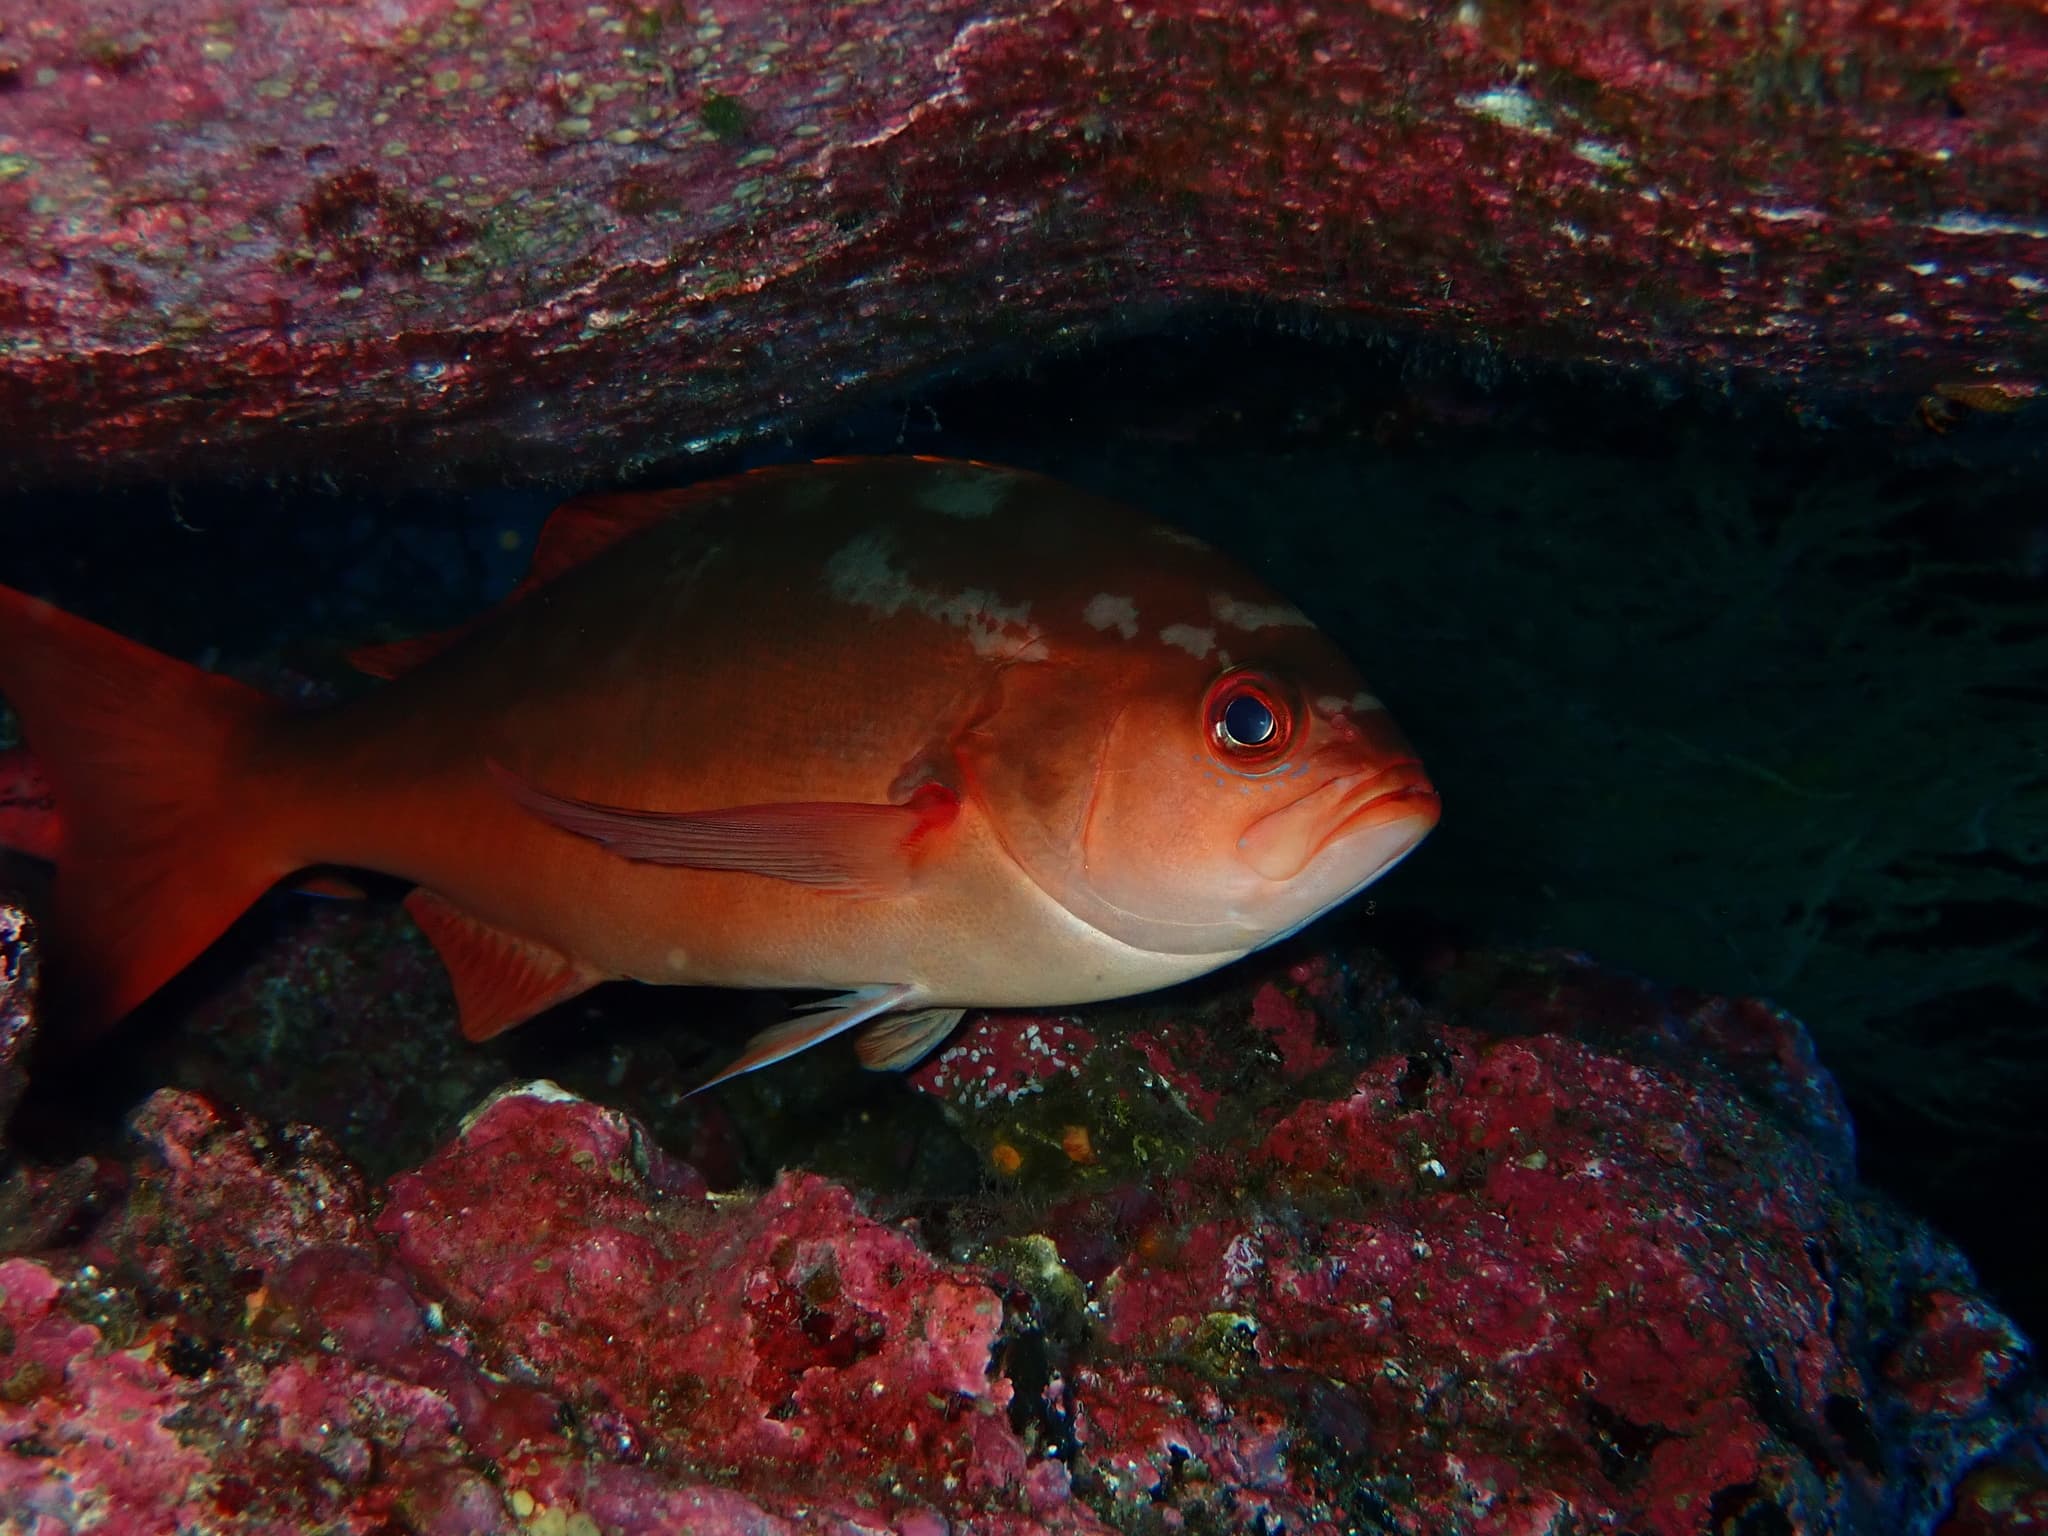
(1555, 1252)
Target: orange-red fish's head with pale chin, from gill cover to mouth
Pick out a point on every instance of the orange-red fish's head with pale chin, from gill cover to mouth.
(1197, 806)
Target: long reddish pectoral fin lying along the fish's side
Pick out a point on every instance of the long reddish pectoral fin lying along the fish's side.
(835, 845)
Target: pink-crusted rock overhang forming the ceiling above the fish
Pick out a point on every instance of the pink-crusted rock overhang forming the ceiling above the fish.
(542, 237)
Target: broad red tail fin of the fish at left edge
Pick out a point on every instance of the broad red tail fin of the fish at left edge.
(161, 841)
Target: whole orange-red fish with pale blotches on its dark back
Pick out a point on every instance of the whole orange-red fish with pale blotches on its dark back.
(923, 734)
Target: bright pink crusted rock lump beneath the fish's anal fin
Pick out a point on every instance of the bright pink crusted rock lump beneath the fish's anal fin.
(787, 1338)
